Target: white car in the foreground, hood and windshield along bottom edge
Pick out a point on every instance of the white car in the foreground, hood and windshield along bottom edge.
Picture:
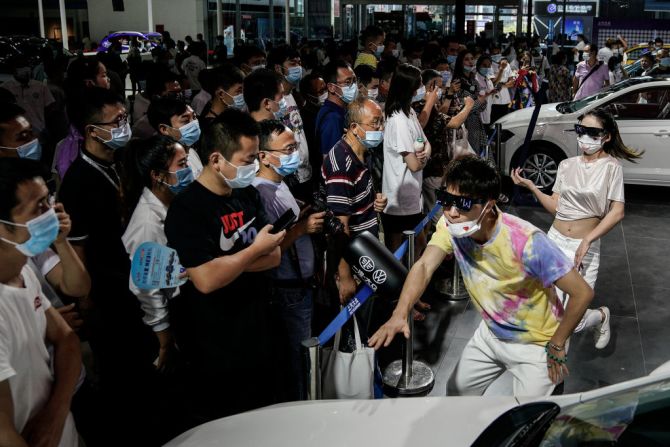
(632, 413)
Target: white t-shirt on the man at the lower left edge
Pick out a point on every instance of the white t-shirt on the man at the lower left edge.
(24, 359)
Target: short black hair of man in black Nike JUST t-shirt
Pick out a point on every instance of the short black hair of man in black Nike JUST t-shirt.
(223, 134)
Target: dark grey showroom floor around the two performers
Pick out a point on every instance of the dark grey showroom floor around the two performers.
(633, 282)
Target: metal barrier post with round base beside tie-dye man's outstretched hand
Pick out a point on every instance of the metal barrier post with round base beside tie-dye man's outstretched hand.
(407, 376)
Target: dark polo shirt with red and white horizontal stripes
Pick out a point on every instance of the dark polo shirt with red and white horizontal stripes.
(349, 188)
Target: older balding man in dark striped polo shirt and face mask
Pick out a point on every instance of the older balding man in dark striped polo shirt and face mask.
(348, 180)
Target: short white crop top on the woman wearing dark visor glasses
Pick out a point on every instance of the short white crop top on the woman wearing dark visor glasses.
(586, 188)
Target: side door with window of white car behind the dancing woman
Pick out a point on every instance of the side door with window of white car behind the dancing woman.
(643, 116)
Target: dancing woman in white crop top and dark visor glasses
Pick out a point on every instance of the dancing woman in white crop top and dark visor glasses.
(587, 202)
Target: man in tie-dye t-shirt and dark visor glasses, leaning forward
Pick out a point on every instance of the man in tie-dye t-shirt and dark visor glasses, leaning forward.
(509, 268)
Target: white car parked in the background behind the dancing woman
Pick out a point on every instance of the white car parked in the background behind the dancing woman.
(641, 107)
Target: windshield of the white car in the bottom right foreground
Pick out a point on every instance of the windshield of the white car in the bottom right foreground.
(632, 417)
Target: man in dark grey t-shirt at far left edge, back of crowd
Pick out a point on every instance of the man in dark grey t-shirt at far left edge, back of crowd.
(33, 96)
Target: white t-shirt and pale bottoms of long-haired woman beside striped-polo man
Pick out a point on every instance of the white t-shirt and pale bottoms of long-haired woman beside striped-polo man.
(401, 186)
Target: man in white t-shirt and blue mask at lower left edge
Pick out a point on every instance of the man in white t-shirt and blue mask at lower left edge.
(34, 402)
